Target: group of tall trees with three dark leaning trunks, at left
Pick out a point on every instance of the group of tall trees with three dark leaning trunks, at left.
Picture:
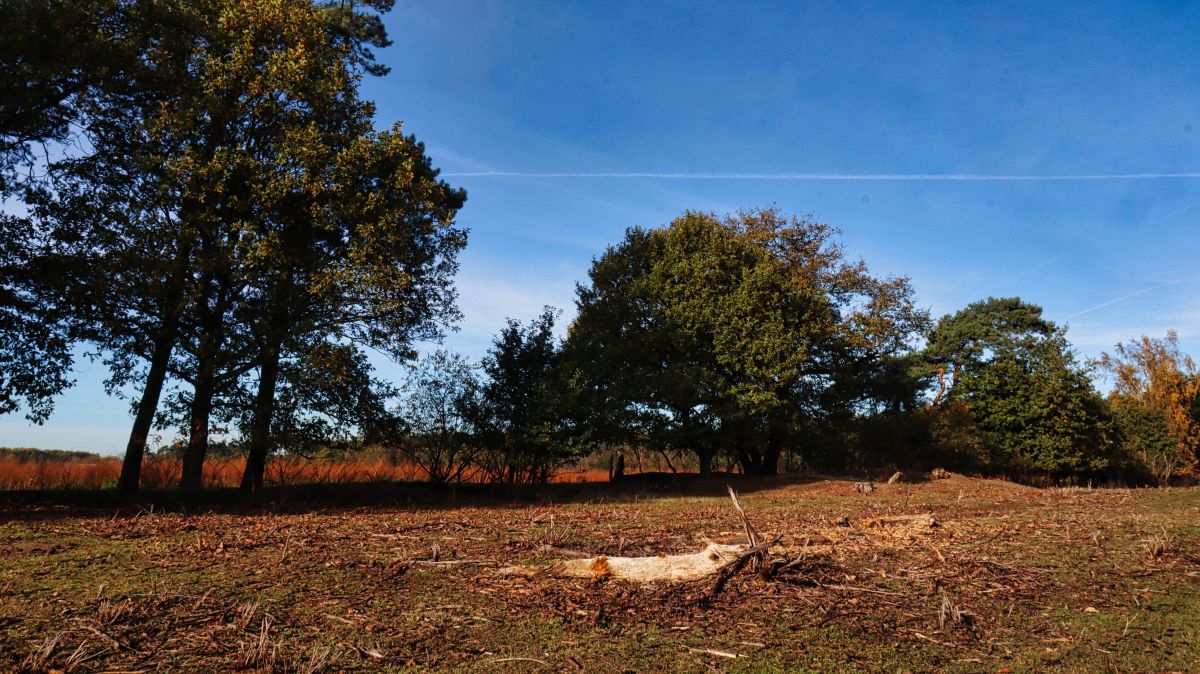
(233, 210)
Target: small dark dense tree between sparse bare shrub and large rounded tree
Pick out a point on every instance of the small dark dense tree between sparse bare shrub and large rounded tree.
(514, 417)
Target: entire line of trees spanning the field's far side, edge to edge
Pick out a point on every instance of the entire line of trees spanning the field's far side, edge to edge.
(207, 206)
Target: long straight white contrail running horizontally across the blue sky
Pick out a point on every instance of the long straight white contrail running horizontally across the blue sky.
(835, 177)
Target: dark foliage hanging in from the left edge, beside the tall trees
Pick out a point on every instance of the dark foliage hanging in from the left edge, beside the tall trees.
(41, 93)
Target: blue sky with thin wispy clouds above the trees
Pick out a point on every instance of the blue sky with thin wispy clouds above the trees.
(844, 91)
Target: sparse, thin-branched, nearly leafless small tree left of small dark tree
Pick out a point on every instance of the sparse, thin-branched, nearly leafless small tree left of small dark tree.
(442, 396)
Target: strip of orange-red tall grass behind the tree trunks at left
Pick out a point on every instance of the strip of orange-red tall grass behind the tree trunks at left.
(163, 473)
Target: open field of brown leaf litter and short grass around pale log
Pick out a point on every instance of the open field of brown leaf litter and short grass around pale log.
(1010, 580)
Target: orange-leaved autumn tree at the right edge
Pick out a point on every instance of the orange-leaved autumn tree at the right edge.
(1155, 399)
